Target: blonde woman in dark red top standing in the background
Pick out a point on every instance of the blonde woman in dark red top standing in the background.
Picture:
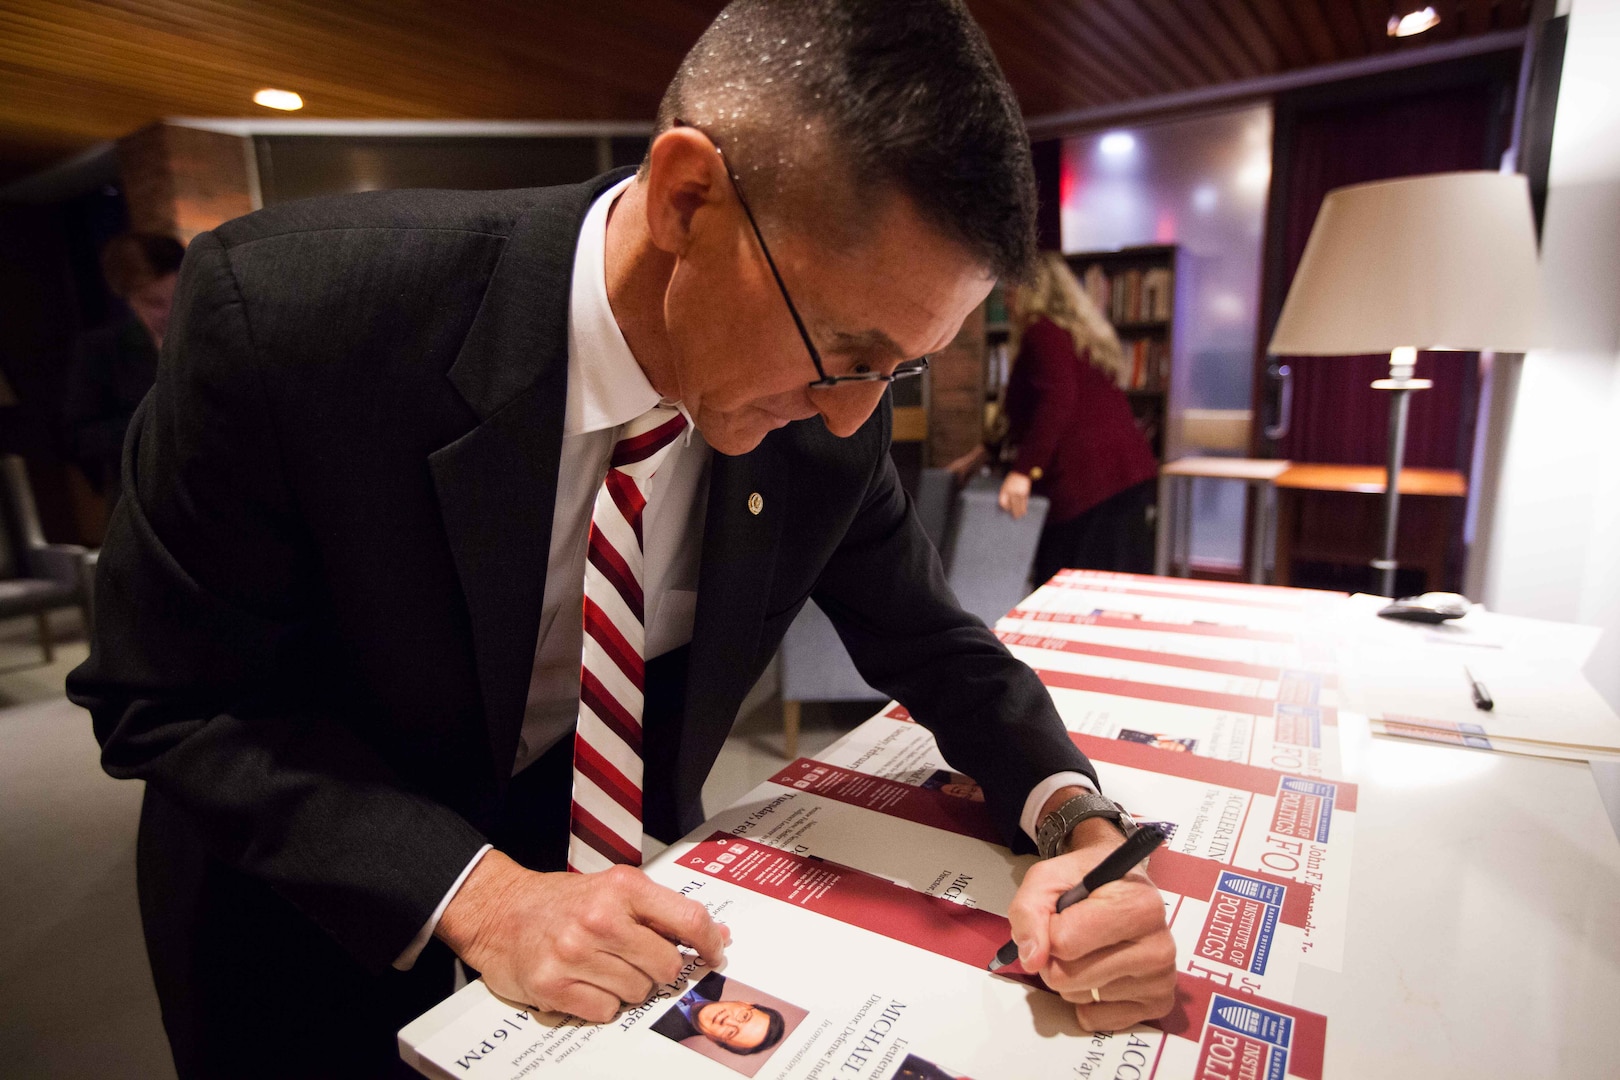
(1075, 436)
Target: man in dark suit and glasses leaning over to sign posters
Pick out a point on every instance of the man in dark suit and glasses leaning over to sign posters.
(339, 629)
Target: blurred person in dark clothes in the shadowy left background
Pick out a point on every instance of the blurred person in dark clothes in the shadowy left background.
(117, 365)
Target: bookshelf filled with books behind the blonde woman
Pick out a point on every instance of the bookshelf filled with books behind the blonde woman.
(1136, 289)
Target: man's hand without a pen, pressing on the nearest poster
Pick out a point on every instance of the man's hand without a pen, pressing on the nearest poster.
(576, 943)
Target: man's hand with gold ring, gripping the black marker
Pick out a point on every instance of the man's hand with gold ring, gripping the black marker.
(1114, 942)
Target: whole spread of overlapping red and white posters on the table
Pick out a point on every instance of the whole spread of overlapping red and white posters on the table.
(866, 890)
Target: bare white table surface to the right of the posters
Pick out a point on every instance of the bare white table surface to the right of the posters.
(1485, 919)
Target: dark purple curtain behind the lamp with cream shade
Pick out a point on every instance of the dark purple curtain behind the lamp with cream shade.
(1337, 417)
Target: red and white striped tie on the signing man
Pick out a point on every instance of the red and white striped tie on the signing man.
(607, 819)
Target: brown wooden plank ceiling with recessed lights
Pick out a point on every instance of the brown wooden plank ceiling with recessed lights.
(79, 72)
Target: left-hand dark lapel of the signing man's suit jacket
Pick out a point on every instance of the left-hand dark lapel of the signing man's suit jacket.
(498, 483)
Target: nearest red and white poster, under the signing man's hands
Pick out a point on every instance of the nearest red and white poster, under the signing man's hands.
(837, 972)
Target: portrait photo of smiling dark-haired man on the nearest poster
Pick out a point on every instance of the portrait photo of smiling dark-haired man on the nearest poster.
(730, 1023)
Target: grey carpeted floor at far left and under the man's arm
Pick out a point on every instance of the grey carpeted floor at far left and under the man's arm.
(75, 992)
